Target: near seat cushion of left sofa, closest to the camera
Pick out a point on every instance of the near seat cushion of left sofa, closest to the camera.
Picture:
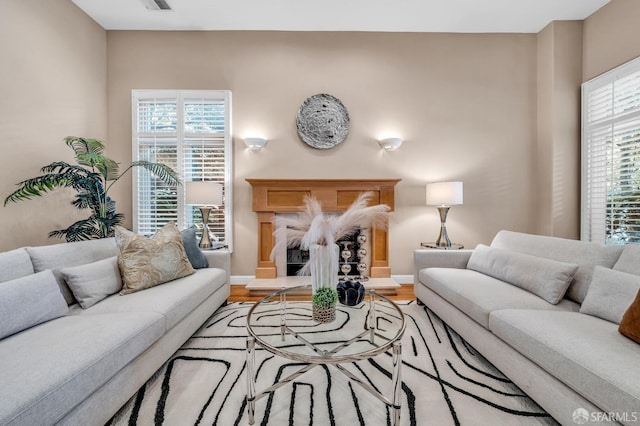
(49, 369)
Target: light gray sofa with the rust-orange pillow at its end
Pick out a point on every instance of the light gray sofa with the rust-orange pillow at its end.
(561, 357)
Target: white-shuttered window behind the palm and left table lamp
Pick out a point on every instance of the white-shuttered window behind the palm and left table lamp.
(189, 131)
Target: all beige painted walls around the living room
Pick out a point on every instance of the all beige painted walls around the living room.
(496, 111)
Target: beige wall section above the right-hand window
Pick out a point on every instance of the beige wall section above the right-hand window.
(611, 37)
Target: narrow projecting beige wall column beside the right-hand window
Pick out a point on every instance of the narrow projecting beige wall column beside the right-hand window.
(558, 144)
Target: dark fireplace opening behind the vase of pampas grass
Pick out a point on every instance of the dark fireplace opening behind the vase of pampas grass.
(352, 257)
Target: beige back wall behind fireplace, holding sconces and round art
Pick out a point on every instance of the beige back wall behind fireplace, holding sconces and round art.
(464, 104)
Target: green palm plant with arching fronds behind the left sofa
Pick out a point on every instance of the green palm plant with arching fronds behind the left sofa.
(92, 178)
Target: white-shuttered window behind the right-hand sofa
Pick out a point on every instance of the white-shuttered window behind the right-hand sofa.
(611, 156)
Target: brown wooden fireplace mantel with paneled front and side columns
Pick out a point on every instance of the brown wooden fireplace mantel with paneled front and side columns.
(272, 196)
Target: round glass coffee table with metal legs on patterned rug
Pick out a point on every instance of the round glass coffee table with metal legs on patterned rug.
(282, 324)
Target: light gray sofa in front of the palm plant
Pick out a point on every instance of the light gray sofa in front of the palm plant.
(82, 366)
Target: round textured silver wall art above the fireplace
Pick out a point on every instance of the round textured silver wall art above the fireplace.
(322, 121)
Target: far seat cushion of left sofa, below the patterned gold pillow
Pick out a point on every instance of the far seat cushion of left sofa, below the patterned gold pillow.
(173, 300)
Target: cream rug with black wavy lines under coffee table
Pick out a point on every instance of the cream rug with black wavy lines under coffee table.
(445, 382)
